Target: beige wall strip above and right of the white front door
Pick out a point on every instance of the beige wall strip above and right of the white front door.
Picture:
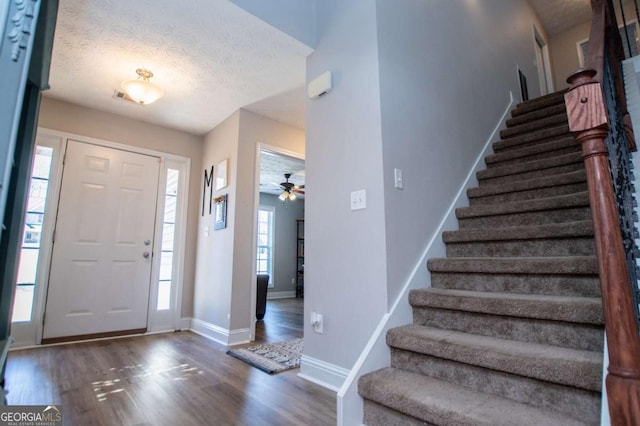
(66, 117)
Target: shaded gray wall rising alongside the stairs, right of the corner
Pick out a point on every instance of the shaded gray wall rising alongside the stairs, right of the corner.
(443, 89)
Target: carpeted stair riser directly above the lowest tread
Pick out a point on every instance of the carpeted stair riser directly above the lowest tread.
(577, 403)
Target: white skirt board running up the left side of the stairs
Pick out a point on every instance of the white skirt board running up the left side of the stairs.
(375, 355)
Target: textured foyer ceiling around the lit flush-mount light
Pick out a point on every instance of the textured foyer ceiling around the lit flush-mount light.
(209, 56)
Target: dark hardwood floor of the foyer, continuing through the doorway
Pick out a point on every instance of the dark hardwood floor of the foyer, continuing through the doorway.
(169, 379)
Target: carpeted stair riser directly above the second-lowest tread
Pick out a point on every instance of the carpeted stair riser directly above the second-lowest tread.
(557, 333)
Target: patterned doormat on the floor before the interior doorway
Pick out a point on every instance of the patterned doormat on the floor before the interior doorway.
(271, 358)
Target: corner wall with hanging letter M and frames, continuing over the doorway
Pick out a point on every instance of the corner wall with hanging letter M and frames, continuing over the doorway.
(225, 271)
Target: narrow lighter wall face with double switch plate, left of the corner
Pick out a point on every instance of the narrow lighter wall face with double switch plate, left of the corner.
(345, 272)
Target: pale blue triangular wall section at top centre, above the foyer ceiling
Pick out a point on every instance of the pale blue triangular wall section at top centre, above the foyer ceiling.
(294, 17)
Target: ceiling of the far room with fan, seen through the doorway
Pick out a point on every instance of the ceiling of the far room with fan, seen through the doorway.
(272, 169)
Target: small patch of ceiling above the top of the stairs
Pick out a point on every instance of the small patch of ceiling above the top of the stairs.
(560, 15)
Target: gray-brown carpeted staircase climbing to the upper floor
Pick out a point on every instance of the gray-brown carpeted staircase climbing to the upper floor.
(510, 333)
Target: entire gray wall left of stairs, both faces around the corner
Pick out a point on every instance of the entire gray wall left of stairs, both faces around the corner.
(418, 85)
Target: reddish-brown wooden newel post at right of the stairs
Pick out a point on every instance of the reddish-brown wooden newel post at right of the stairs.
(588, 120)
